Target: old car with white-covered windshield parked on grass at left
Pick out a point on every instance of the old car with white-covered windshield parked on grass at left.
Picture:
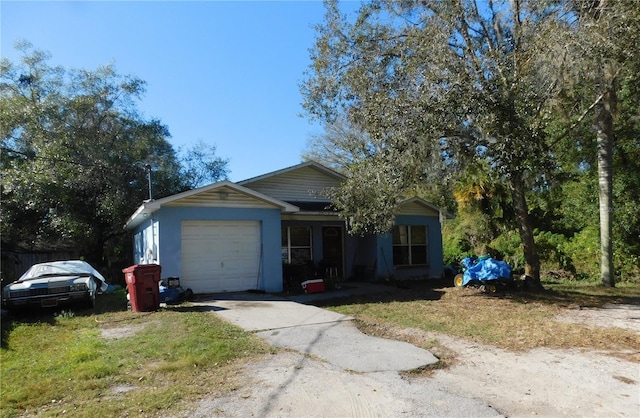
(57, 283)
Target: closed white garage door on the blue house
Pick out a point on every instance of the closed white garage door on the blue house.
(220, 256)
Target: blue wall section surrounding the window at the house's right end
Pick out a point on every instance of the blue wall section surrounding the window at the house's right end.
(434, 269)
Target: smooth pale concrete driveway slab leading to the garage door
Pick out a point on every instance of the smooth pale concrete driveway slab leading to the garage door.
(311, 330)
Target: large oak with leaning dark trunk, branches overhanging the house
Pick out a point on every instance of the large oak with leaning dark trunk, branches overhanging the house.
(452, 79)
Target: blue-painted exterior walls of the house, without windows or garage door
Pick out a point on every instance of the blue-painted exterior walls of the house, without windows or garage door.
(365, 258)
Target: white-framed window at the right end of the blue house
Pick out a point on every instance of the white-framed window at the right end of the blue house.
(410, 245)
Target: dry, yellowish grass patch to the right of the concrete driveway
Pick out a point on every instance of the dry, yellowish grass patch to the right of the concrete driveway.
(515, 320)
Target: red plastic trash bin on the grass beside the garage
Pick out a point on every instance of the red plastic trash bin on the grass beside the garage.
(142, 284)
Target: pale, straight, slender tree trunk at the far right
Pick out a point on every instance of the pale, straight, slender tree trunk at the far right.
(604, 132)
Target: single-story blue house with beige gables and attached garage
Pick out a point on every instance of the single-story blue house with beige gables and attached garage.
(276, 230)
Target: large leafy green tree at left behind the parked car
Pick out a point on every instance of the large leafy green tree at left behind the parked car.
(75, 157)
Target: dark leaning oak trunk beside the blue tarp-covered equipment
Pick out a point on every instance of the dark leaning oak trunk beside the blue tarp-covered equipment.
(532, 263)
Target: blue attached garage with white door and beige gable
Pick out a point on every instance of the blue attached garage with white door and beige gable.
(219, 238)
